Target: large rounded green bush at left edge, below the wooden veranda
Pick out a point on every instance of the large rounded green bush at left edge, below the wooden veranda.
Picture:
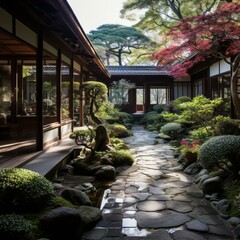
(22, 188)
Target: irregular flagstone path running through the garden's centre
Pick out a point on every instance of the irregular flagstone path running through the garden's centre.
(153, 199)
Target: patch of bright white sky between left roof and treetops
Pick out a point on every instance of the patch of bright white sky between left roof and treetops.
(93, 13)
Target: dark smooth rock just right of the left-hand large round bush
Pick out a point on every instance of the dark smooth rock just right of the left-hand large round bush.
(76, 197)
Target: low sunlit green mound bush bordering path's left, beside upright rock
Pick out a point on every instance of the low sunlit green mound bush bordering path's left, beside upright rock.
(121, 157)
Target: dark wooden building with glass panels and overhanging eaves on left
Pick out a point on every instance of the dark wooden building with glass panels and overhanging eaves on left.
(44, 57)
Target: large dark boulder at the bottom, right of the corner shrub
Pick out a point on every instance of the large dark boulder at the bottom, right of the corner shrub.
(62, 221)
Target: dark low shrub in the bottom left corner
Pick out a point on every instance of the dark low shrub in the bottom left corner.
(15, 227)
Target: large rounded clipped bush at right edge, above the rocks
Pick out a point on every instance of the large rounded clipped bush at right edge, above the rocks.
(216, 149)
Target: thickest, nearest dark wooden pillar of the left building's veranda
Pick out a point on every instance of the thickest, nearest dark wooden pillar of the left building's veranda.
(39, 94)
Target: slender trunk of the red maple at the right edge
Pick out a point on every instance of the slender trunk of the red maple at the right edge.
(234, 83)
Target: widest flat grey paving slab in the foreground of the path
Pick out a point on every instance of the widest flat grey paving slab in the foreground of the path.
(158, 220)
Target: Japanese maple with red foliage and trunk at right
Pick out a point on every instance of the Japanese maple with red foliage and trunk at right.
(194, 39)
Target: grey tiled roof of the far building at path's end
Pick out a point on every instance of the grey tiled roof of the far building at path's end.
(136, 70)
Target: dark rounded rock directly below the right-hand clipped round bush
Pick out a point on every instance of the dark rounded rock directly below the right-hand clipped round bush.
(212, 185)
